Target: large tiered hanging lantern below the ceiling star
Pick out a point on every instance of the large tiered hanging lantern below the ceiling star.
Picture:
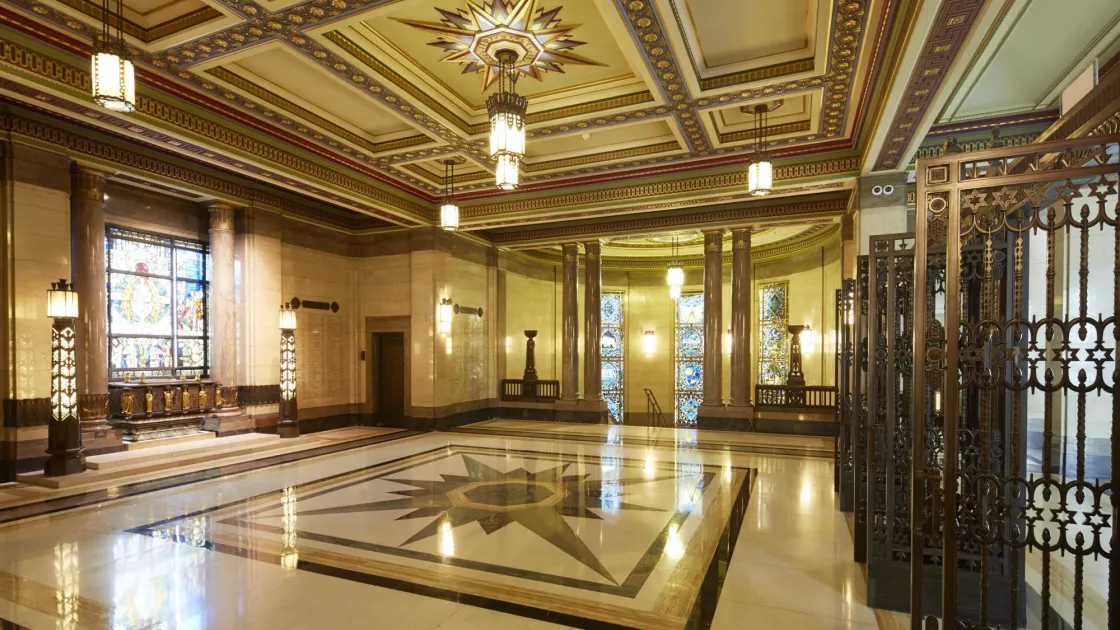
(508, 124)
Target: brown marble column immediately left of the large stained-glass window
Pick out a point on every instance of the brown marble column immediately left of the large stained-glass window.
(88, 273)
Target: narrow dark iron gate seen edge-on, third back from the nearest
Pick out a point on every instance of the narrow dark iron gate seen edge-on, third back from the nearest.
(860, 405)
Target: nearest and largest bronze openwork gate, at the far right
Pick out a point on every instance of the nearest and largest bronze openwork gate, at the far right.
(1016, 428)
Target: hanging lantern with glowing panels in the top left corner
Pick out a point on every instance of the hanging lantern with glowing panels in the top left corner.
(111, 75)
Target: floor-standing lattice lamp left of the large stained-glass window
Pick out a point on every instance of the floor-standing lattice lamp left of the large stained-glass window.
(64, 434)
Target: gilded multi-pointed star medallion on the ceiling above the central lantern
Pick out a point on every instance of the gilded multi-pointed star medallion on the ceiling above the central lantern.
(474, 36)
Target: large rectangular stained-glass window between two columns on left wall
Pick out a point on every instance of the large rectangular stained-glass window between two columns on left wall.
(157, 305)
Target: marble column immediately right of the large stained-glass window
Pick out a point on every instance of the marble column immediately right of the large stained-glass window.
(223, 316)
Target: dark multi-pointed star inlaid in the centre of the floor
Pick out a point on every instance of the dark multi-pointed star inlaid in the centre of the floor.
(494, 499)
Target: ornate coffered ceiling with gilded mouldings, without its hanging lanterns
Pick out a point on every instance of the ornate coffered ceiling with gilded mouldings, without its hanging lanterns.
(634, 105)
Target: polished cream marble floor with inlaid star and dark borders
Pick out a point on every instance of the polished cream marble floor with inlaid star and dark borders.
(455, 531)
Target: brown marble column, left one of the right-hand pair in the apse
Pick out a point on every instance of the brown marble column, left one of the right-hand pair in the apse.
(713, 319)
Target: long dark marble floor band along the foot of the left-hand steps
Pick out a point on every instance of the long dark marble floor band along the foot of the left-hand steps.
(11, 516)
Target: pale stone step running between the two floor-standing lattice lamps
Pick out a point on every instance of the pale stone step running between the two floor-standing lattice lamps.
(165, 465)
